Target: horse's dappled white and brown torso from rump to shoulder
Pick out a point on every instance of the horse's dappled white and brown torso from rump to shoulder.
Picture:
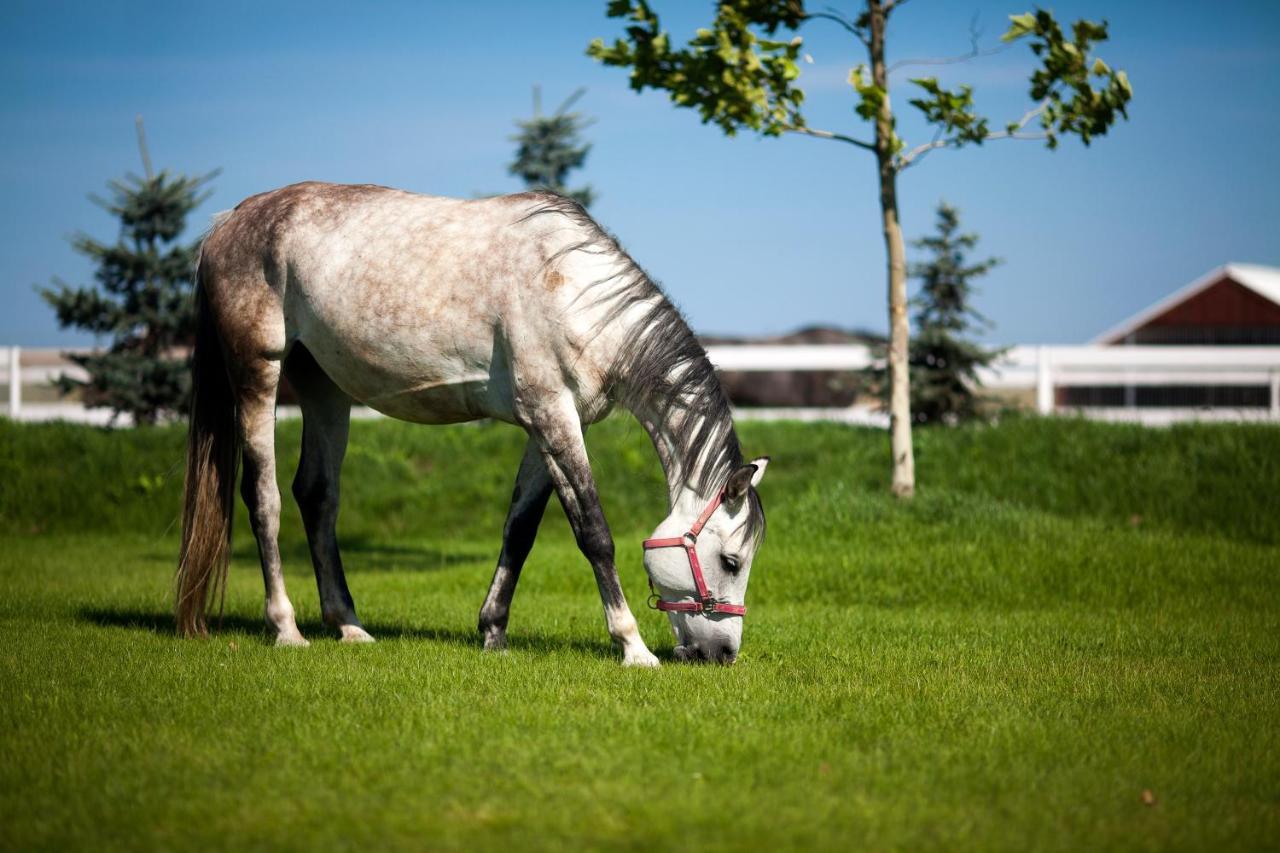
(412, 304)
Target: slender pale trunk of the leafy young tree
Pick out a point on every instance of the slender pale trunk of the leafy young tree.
(899, 329)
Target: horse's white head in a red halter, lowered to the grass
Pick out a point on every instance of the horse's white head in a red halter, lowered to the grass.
(700, 562)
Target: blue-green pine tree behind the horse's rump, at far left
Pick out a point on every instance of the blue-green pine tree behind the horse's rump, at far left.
(141, 299)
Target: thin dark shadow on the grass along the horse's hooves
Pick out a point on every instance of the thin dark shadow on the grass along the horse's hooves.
(162, 623)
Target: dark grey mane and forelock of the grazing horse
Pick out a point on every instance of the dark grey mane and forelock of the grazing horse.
(662, 366)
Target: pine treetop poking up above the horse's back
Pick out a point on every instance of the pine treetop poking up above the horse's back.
(550, 148)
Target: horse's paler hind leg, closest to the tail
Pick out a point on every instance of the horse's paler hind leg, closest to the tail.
(257, 384)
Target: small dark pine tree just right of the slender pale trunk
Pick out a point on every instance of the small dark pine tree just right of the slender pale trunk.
(944, 363)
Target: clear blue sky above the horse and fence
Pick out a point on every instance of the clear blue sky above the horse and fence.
(747, 235)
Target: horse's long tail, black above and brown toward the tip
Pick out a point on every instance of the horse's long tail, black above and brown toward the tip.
(213, 455)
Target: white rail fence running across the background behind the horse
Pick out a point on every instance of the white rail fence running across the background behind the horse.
(1043, 370)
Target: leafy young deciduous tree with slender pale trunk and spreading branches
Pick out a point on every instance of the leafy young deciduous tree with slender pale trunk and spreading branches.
(742, 81)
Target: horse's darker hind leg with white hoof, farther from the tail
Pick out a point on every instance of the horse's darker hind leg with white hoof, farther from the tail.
(326, 422)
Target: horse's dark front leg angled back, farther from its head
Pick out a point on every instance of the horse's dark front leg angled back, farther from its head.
(528, 504)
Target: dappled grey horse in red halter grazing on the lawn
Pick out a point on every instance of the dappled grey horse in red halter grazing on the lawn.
(440, 311)
